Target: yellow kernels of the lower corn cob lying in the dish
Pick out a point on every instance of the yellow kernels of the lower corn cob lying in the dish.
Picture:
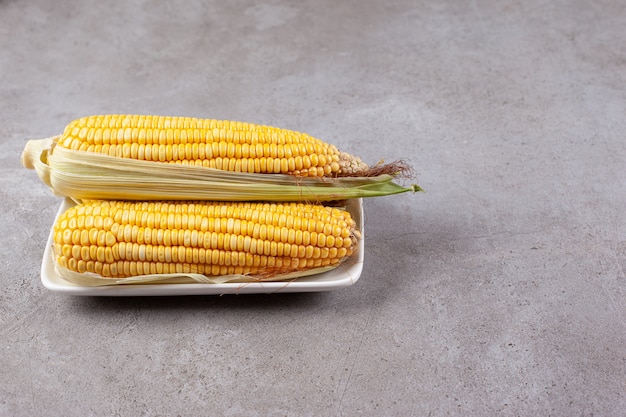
(117, 239)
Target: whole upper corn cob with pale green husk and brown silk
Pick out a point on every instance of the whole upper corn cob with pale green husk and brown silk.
(152, 158)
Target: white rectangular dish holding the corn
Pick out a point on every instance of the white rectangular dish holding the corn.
(345, 275)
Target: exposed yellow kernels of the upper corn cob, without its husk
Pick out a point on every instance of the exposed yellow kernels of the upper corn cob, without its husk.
(225, 145)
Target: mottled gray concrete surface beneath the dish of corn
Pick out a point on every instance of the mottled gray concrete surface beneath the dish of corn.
(500, 291)
